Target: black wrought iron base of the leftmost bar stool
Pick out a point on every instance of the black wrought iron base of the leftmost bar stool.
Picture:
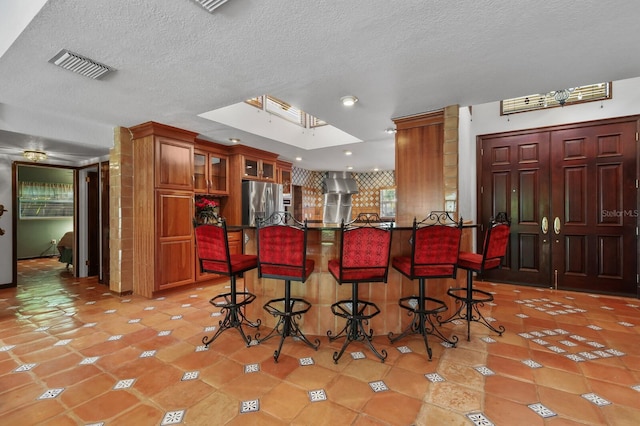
(233, 315)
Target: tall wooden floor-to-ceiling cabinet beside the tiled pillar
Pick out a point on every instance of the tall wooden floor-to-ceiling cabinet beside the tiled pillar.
(162, 191)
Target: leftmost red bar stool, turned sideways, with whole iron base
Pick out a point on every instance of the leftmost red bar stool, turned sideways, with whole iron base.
(212, 245)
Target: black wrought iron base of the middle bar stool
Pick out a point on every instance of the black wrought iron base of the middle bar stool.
(356, 320)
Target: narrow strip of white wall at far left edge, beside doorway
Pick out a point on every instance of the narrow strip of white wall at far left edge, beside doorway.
(6, 220)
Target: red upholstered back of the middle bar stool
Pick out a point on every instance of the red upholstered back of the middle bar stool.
(364, 254)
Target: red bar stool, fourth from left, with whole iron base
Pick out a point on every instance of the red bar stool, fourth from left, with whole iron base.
(435, 244)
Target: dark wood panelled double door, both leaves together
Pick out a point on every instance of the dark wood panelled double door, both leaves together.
(571, 194)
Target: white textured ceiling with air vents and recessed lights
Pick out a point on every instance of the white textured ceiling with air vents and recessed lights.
(175, 61)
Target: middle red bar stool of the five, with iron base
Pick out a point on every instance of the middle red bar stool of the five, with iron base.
(364, 258)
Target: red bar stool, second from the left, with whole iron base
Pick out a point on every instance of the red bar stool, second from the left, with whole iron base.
(282, 254)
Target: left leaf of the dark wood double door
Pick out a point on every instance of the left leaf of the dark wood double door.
(516, 180)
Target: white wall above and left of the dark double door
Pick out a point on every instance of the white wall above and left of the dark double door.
(486, 119)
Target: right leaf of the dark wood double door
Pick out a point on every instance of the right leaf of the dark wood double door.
(595, 197)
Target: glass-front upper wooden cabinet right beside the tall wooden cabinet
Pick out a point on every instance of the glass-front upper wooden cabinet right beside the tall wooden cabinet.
(210, 170)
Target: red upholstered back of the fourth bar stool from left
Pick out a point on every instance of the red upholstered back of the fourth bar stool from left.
(435, 251)
